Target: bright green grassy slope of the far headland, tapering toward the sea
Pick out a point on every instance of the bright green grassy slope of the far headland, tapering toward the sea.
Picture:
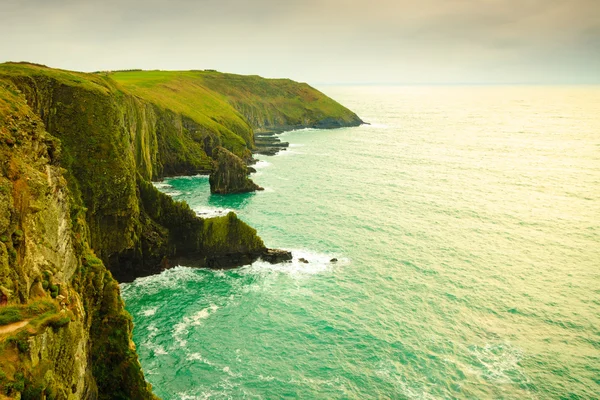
(264, 103)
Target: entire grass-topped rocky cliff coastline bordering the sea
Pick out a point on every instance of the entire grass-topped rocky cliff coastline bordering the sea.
(77, 154)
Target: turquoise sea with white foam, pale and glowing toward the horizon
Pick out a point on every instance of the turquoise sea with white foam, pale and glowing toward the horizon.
(466, 221)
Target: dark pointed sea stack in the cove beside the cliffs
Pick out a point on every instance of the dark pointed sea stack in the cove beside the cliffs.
(230, 174)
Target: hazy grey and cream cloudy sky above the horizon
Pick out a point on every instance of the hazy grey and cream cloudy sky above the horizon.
(315, 41)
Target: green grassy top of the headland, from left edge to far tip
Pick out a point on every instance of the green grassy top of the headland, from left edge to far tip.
(227, 105)
